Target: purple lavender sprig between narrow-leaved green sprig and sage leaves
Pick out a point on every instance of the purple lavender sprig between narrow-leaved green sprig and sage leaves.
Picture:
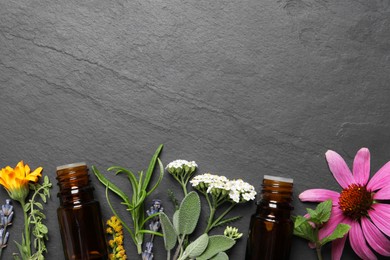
(154, 226)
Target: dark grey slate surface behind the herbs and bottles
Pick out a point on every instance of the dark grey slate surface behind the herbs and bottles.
(244, 88)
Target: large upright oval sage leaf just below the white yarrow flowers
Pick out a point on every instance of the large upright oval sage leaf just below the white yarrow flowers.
(189, 213)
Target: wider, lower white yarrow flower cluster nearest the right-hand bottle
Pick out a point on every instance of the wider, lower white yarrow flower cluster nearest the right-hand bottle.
(237, 190)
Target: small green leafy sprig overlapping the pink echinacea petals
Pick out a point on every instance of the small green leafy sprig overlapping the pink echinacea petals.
(309, 227)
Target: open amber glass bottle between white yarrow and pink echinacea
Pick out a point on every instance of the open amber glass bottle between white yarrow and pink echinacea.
(271, 226)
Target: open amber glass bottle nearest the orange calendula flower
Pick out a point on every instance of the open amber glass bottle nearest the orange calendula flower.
(79, 215)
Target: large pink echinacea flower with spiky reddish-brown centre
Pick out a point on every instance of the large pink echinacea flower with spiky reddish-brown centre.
(360, 204)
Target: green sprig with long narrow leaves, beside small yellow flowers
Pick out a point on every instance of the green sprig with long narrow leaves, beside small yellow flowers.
(135, 202)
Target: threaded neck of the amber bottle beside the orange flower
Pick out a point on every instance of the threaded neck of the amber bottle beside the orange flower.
(74, 183)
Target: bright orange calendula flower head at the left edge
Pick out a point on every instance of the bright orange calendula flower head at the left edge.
(16, 180)
